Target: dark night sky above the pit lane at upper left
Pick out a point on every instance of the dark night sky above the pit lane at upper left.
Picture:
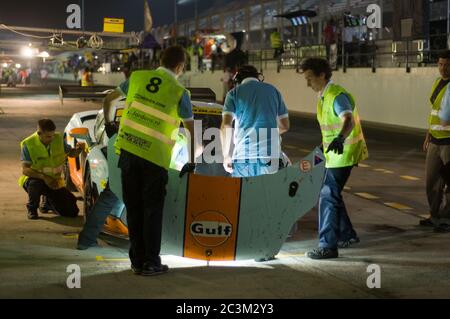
(52, 13)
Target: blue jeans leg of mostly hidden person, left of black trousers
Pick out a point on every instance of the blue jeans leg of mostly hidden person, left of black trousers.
(96, 218)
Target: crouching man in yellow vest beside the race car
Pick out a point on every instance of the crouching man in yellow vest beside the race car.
(43, 155)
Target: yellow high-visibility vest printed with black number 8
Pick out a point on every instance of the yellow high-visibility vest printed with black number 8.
(149, 126)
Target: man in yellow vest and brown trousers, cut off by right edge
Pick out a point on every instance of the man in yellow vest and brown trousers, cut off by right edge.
(437, 146)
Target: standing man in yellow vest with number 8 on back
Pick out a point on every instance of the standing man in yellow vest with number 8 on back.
(156, 105)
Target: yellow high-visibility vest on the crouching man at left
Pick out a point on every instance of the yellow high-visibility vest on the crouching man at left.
(41, 161)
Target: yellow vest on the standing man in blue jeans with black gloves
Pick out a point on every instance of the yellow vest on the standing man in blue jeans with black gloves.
(355, 148)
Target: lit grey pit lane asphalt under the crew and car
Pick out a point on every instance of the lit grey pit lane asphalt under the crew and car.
(34, 255)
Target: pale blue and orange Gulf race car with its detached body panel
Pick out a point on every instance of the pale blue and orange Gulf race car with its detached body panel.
(209, 215)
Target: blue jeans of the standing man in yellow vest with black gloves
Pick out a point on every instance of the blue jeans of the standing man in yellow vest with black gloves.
(334, 223)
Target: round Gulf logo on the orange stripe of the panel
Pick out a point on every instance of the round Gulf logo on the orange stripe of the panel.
(211, 229)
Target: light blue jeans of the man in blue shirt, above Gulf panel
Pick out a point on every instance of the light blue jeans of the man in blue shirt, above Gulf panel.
(252, 168)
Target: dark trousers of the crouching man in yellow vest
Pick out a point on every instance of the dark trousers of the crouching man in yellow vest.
(64, 202)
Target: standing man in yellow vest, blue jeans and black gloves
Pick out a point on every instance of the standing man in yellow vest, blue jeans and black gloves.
(345, 147)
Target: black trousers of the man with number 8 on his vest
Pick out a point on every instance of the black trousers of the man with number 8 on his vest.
(144, 191)
